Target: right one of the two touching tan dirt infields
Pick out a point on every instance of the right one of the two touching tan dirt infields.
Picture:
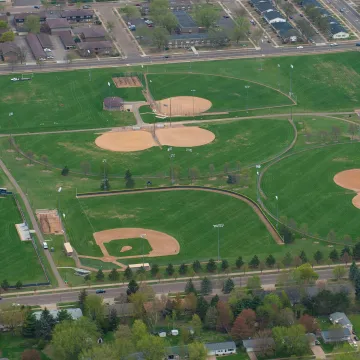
(185, 136)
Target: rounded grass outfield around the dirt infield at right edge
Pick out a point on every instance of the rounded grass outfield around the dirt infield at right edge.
(308, 194)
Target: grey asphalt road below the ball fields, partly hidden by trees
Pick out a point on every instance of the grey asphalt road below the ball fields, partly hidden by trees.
(159, 288)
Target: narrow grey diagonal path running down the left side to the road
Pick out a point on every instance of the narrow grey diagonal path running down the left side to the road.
(34, 223)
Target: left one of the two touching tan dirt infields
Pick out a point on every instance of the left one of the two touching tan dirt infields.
(125, 141)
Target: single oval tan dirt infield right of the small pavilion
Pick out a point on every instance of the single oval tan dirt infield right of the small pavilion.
(182, 106)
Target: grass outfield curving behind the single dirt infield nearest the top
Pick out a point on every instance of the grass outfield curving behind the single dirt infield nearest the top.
(225, 93)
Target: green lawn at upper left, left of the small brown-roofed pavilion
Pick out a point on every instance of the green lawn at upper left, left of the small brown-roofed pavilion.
(66, 100)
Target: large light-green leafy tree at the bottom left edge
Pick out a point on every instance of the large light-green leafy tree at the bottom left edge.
(70, 338)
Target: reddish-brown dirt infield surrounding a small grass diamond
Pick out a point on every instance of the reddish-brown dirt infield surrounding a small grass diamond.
(162, 244)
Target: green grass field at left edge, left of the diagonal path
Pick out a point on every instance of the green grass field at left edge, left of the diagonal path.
(18, 258)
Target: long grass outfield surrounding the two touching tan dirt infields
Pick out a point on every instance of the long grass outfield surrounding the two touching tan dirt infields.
(237, 144)
